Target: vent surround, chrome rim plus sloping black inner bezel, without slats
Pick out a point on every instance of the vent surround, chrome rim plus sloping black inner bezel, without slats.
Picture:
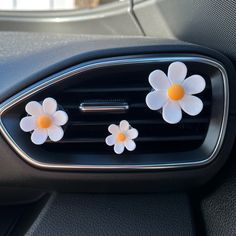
(201, 156)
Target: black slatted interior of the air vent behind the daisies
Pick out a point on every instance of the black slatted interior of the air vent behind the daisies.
(87, 130)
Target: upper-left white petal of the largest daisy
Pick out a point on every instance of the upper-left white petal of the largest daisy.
(159, 80)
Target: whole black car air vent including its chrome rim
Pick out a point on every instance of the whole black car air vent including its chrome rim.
(121, 83)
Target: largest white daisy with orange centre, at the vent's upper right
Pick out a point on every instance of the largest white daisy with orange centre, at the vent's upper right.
(172, 92)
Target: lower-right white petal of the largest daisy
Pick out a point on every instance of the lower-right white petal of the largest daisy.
(192, 105)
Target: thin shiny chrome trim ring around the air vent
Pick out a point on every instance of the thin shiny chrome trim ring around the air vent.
(114, 61)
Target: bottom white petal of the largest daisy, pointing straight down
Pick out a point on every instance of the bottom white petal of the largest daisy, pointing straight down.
(172, 112)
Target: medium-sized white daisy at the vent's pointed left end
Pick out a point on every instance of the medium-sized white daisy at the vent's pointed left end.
(44, 121)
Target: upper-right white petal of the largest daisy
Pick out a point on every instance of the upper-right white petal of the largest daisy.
(194, 84)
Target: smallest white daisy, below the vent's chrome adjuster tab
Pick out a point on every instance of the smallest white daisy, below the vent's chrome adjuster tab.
(122, 137)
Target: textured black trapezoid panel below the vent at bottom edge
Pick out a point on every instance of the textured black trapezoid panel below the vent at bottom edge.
(104, 214)
